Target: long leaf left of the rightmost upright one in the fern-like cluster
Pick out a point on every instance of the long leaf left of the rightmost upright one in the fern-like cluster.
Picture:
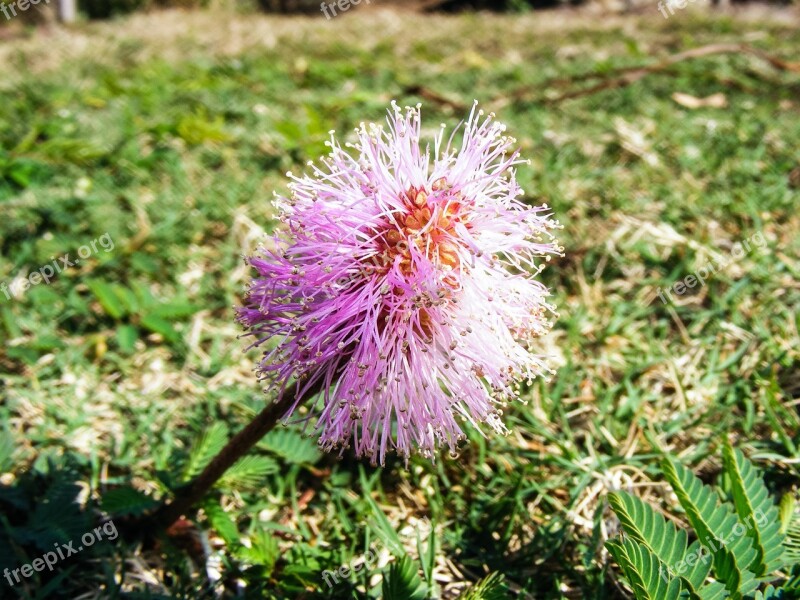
(717, 526)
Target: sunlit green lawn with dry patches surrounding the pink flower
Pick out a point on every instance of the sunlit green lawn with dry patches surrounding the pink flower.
(172, 143)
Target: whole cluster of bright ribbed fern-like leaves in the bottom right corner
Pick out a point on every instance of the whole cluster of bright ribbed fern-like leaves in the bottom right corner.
(739, 540)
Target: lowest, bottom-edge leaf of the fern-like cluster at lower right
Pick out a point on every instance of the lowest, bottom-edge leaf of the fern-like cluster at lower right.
(646, 575)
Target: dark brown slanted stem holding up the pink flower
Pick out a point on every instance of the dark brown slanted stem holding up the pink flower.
(189, 495)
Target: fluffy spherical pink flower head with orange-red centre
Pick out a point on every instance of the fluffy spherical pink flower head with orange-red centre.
(406, 290)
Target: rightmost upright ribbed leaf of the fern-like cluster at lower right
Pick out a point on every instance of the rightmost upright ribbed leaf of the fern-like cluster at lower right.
(756, 511)
